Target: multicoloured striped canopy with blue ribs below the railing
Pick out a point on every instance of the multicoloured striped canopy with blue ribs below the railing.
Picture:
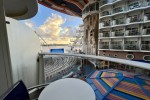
(119, 85)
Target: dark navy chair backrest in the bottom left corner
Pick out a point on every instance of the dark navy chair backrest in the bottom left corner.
(17, 92)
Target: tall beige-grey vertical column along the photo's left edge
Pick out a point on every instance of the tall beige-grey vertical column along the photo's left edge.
(5, 62)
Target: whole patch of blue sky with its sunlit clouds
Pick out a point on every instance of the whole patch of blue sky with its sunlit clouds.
(54, 27)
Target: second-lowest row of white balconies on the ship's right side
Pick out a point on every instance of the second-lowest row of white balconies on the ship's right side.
(125, 33)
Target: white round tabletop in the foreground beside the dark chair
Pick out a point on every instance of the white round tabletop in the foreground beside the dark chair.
(68, 89)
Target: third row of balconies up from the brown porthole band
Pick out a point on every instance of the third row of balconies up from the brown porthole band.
(128, 21)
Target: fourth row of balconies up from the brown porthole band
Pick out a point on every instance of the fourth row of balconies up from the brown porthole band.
(135, 5)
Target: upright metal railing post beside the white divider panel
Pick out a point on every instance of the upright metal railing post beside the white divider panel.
(41, 78)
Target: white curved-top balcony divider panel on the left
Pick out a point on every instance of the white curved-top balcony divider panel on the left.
(24, 47)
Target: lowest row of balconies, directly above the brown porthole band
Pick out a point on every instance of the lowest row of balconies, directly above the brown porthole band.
(145, 47)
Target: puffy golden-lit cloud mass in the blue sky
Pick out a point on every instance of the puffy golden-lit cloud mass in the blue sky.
(52, 30)
